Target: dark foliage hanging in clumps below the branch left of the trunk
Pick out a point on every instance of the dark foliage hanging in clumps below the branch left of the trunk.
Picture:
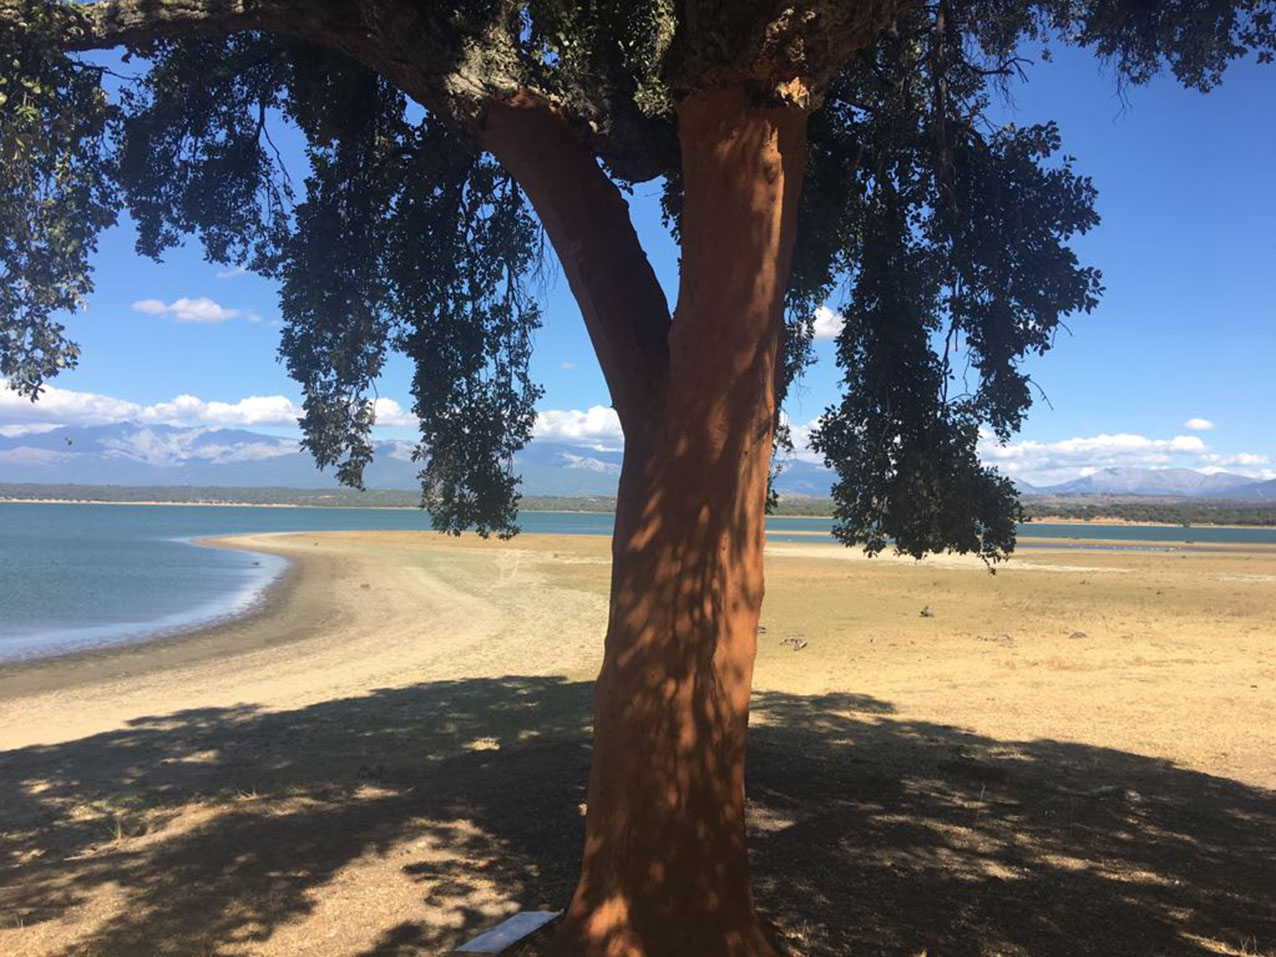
(405, 239)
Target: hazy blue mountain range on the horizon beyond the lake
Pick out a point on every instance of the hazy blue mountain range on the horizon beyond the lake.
(164, 455)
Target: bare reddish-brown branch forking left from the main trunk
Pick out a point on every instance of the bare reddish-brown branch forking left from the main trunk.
(588, 221)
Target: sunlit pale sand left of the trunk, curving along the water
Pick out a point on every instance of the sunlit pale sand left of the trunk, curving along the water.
(355, 612)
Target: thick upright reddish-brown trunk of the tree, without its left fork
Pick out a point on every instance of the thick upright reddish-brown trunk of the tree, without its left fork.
(665, 864)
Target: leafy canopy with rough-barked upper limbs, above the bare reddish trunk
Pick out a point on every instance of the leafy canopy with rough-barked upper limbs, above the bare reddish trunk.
(941, 238)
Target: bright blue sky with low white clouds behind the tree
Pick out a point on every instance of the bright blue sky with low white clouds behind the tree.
(1173, 369)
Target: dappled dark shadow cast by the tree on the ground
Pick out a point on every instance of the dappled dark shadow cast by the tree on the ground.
(210, 830)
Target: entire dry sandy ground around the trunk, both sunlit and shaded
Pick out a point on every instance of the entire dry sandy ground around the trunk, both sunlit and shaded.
(1076, 756)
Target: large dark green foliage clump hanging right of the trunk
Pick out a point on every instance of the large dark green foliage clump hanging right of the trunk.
(951, 238)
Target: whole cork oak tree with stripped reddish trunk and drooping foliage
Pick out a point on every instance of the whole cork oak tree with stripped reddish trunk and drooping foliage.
(805, 149)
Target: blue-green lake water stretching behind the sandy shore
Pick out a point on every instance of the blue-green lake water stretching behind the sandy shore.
(76, 577)
